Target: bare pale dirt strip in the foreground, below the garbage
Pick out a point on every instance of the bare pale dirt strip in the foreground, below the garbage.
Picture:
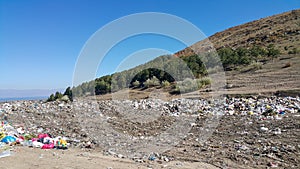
(29, 158)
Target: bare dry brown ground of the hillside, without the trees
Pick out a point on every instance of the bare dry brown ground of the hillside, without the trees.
(265, 76)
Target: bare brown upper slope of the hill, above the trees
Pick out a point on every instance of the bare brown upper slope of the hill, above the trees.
(282, 30)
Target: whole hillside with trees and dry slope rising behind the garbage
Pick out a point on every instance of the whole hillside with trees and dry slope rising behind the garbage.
(261, 56)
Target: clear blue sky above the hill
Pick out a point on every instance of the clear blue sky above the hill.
(40, 40)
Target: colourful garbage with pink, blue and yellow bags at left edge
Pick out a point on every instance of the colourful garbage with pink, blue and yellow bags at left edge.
(16, 133)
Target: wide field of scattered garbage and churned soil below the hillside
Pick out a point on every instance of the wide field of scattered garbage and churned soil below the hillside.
(254, 131)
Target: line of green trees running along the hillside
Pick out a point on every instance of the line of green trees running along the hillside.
(168, 70)
